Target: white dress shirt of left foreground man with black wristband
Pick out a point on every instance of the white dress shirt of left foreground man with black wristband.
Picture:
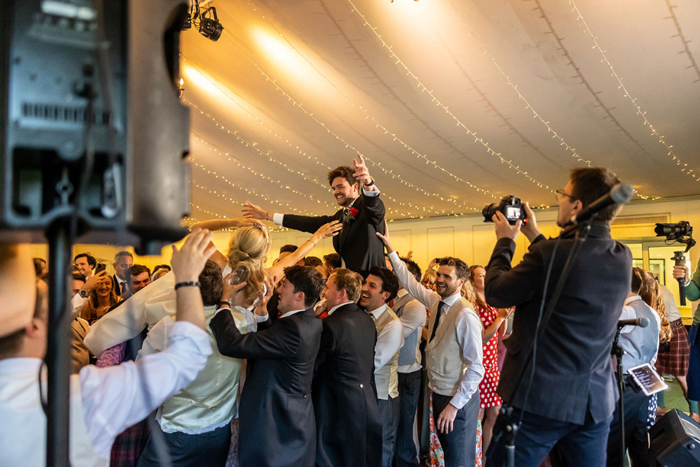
(111, 398)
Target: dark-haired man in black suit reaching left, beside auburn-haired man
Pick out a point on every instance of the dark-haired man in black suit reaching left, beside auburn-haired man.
(277, 424)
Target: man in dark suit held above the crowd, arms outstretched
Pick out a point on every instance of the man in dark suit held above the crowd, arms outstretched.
(362, 215)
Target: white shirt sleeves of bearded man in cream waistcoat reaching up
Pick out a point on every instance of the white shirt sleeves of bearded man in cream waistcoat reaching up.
(467, 326)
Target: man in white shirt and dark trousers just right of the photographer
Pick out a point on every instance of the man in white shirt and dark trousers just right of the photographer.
(641, 345)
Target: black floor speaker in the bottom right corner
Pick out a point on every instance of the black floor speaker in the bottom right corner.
(675, 440)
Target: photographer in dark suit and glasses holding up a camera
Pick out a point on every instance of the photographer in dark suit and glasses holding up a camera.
(571, 394)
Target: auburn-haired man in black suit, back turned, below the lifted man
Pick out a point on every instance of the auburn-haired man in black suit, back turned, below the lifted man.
(348, 428)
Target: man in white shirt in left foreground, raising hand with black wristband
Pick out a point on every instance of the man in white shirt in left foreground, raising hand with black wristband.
(104, 401)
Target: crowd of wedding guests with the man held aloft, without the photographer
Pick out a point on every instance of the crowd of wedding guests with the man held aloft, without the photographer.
(346, 360)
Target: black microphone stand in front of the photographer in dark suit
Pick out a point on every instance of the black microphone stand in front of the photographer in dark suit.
(506, 423)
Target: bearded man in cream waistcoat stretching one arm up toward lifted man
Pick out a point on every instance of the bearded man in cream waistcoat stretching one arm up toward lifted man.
(454, 355)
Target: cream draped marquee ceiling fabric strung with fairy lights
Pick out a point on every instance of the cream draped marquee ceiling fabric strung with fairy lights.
(455, 103)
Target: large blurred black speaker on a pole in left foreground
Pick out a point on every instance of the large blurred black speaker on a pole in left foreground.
(54, 102)
